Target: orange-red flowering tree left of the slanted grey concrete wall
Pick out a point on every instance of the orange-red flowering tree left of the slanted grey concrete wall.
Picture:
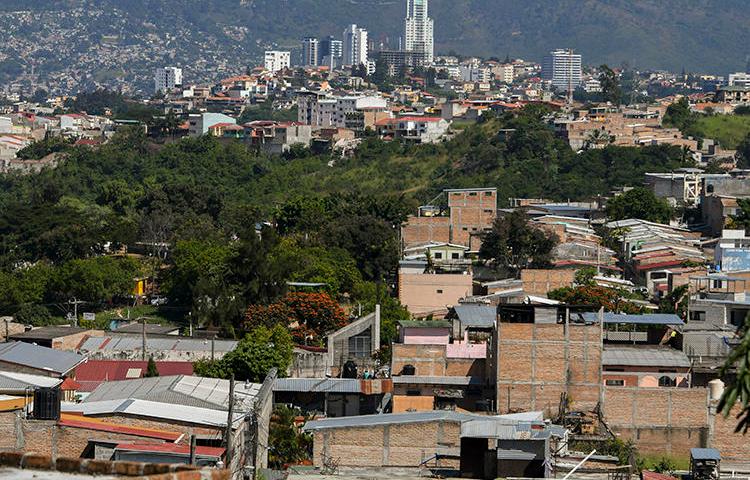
(308, 316)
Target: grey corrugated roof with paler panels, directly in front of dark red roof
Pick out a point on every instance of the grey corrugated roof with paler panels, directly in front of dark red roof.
(211, 393)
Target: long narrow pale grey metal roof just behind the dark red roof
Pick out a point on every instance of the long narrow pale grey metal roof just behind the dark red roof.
(122, 342)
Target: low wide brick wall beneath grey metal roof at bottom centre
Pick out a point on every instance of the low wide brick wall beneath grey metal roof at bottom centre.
(396, 445)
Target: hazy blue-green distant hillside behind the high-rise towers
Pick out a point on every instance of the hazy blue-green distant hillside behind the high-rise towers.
(699, 35)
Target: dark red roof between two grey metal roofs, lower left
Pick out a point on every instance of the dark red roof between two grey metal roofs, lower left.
(91, 374)
